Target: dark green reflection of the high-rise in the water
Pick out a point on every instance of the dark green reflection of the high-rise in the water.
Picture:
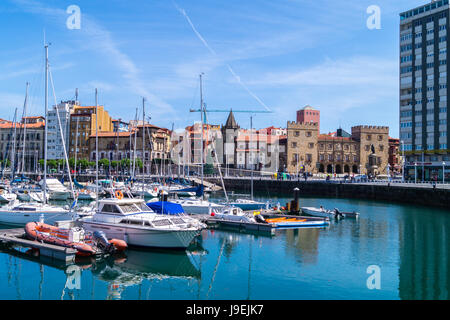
(424, 271)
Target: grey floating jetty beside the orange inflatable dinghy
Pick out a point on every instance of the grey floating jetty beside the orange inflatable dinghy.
(17, 237)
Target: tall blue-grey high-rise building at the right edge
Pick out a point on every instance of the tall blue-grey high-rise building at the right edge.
(424, 125)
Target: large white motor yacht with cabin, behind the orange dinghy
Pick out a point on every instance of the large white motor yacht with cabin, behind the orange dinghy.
(135, 223)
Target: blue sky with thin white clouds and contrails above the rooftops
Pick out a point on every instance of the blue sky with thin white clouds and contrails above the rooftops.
(254, 54)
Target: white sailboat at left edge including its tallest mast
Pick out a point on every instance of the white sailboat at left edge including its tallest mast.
(19, 214)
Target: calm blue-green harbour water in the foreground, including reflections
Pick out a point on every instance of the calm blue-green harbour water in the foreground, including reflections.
(408, 243)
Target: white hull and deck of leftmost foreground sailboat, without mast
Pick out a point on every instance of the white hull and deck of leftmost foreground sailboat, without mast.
(19, 214)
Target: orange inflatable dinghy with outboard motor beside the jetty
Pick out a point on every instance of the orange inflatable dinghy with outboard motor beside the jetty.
(86, 244)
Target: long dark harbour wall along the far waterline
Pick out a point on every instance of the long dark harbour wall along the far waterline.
(423, 195)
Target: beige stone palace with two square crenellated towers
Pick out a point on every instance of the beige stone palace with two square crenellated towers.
(365, 150)
